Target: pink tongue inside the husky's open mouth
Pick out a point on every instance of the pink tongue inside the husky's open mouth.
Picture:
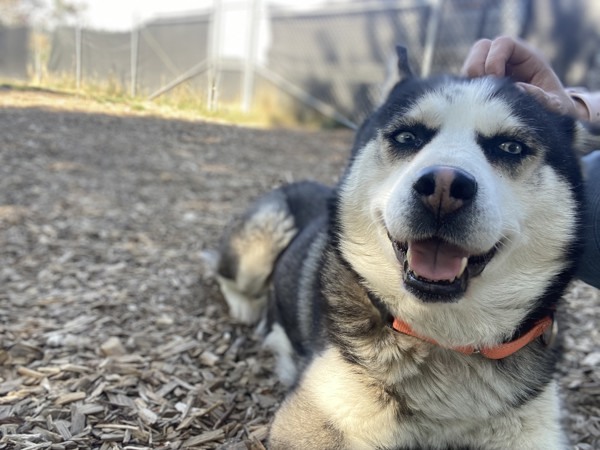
(436, 260)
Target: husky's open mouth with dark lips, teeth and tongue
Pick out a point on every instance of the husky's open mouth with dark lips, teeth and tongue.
(435, 270)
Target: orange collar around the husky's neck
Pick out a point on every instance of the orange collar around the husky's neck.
(498, 352)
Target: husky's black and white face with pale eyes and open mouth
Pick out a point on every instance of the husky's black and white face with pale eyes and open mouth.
(461, 206)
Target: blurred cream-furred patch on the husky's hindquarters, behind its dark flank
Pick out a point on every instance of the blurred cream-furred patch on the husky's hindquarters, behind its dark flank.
(248, 252)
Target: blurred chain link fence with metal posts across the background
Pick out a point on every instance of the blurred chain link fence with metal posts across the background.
(334, 59)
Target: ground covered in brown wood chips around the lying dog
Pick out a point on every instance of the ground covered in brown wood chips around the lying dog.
(114, 335)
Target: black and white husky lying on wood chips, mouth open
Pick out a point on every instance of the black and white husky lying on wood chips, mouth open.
(412, 306)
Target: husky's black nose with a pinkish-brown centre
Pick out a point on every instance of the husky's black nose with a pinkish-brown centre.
(444, 189)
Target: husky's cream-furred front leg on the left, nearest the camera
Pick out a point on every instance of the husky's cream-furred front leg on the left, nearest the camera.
(335, 406)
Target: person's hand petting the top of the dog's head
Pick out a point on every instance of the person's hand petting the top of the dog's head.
(506, 56)
